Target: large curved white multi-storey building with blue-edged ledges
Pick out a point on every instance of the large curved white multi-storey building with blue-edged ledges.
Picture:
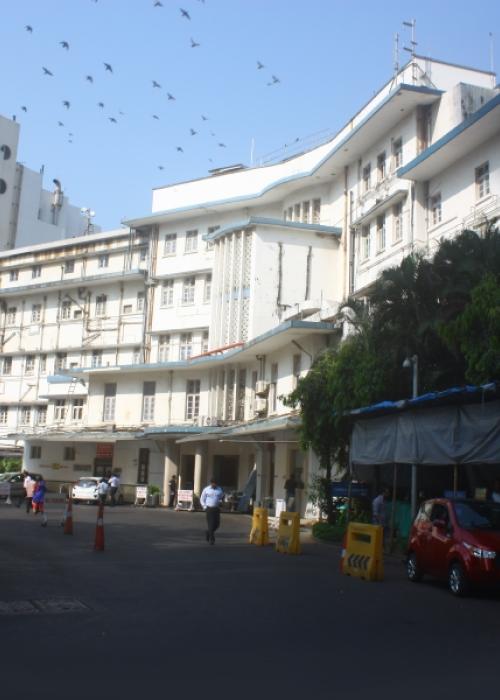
(222, 297)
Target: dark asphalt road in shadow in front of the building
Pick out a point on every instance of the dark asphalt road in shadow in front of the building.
(167, 612)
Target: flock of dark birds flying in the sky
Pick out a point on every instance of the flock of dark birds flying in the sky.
(108, 68)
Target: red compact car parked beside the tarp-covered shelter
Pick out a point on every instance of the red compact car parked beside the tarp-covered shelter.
(457, 541)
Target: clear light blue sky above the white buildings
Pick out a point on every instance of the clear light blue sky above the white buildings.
(322, 60)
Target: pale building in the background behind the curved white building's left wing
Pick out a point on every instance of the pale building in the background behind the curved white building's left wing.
(28, 213)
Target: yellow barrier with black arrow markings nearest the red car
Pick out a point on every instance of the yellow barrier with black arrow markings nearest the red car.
(363, 554)
